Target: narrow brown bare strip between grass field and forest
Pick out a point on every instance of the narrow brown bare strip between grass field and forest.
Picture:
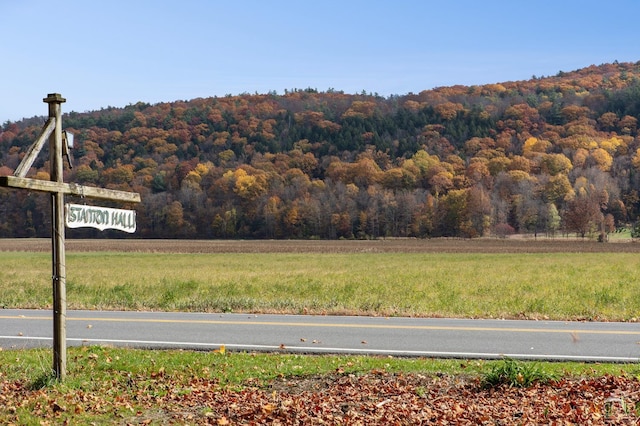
(521, 245)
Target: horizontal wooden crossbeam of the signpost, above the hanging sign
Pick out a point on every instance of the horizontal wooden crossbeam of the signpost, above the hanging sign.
(69, 188)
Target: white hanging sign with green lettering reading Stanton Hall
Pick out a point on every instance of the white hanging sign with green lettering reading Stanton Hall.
(80, 216)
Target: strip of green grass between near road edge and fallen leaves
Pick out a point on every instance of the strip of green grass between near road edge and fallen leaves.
(237, 370)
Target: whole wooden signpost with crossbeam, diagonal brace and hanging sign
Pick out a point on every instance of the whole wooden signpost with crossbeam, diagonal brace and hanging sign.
(57, 189)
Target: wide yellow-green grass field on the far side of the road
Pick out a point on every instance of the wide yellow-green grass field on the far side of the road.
(557, 286)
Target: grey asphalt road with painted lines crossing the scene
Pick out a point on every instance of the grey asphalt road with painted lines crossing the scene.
(423, 337)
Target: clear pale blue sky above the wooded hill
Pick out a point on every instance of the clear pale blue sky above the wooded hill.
(117, 52)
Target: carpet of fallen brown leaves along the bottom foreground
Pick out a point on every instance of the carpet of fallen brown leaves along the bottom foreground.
(377, 397)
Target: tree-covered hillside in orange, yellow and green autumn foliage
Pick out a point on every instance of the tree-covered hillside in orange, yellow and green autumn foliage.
(548, 155)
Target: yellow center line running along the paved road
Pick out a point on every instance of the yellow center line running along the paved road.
(333, 325)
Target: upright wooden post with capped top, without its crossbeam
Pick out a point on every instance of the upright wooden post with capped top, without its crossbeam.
(57, 241)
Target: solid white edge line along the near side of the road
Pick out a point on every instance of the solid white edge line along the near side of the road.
(328, 350)
